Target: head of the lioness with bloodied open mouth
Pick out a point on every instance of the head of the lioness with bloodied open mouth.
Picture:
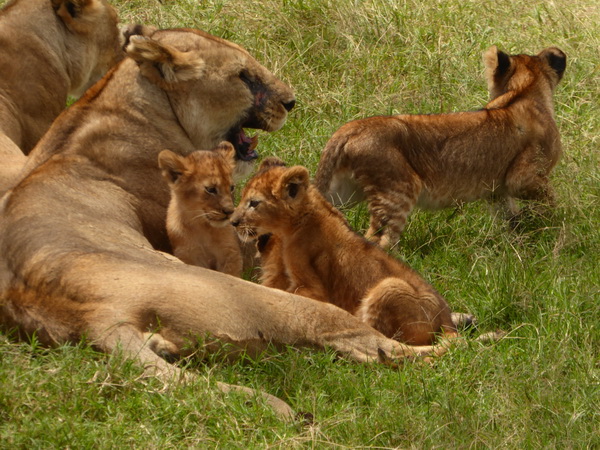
(205, 76)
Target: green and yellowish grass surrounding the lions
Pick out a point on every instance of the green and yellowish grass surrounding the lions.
(347, 59)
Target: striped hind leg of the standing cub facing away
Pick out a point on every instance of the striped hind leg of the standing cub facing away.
(391, 198)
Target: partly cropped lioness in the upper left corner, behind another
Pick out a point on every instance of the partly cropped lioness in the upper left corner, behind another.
(49, 49)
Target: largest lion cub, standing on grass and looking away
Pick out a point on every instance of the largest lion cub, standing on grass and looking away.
(505, 150)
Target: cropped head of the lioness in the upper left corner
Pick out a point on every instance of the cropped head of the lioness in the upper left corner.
(94, 37)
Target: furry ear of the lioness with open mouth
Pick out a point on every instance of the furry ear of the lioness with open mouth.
(163, 64)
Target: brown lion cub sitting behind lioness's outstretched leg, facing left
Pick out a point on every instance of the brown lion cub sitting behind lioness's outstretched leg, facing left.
(317, 255)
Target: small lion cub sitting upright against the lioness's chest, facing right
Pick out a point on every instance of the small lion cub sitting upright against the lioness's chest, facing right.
(201, 203)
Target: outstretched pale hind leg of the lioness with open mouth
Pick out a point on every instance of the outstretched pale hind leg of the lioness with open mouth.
(184, 303)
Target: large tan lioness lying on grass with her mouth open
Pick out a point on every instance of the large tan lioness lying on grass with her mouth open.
(80, 235)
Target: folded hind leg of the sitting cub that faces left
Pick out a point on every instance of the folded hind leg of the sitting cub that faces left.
(406, 313)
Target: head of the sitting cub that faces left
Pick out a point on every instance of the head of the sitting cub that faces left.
(272, 200)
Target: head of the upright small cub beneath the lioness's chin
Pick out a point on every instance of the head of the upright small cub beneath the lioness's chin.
(201, 183)
